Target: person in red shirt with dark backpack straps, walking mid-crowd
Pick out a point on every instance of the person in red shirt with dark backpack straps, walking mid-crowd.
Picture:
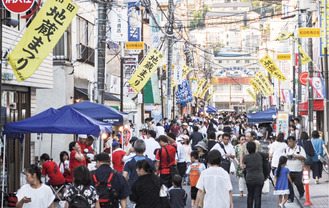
(165, 158)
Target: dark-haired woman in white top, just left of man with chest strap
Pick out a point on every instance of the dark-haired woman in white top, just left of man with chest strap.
(277, 150)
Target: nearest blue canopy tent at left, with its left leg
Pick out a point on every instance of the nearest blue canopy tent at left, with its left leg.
(66, 121)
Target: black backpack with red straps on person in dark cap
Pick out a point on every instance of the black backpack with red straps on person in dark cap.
(108, 198)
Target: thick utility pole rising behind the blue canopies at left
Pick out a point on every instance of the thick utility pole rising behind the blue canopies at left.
(101, 46)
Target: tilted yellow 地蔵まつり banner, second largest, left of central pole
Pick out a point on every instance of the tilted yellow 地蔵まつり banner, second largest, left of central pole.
(145, 70)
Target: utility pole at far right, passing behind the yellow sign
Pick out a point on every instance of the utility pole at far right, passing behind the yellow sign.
(310, 74)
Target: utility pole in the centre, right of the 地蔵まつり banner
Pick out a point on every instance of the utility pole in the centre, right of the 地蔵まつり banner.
(170, 32)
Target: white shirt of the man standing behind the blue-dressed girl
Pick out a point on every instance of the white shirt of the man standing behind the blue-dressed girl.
(295, 165)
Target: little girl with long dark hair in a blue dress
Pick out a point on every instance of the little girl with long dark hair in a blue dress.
(281, 180)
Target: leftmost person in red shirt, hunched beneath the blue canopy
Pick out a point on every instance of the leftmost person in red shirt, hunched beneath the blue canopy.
(51, 169)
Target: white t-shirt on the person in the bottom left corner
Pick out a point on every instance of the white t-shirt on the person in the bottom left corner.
(41, 197)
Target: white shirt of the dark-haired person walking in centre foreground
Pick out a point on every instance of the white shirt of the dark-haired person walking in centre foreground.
(216, 182)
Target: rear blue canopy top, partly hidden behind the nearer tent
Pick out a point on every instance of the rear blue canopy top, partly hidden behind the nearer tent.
(100, 112)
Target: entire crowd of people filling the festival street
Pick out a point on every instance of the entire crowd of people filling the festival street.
(195, 151)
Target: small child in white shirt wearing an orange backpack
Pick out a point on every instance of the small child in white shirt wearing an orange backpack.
(194, 171)
